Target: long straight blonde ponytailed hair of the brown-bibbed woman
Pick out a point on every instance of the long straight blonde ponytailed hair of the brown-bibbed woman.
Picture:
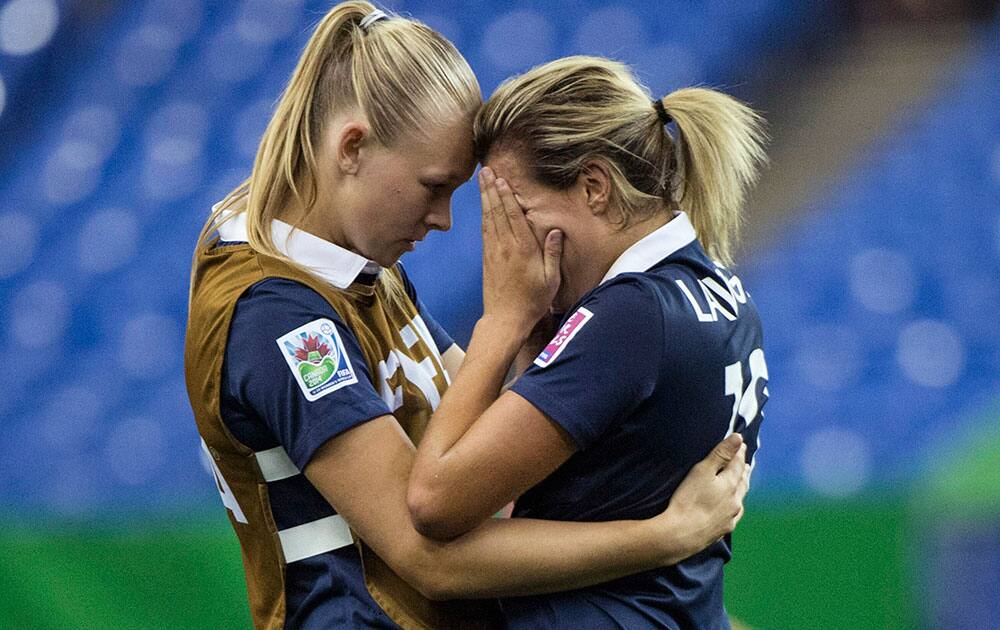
(401, 75)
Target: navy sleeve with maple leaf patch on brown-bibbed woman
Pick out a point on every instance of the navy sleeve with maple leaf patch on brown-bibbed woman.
(292, 361)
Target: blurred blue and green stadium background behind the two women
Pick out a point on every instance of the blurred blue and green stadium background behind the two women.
(873, 251)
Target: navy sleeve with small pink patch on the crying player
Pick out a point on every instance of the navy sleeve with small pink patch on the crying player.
(602, 364)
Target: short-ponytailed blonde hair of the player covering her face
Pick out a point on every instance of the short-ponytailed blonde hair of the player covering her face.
(566, 113)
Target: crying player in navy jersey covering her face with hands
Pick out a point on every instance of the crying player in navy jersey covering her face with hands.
(659, 355)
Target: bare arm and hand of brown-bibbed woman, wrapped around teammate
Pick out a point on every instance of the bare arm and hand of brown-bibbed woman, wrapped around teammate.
(363, 474)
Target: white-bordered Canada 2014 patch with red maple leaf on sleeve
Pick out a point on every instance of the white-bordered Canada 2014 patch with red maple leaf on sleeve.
(317, 358)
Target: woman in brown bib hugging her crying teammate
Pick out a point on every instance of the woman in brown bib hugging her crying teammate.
(312, 367)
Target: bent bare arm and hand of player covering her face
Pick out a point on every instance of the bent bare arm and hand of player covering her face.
(474, 458)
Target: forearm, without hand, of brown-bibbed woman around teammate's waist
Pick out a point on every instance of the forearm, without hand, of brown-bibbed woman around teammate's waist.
(511, 557)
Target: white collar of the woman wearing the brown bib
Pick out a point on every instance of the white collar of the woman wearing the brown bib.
(334, 264)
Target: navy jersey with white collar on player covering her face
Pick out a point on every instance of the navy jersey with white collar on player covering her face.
(647, 373)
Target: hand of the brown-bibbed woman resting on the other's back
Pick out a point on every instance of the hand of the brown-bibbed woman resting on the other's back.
(708, 503)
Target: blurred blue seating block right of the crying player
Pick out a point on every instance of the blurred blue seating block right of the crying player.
(888, 341)
